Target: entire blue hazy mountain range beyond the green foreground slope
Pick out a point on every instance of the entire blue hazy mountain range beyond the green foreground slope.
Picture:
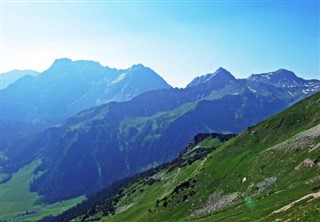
(84, 151)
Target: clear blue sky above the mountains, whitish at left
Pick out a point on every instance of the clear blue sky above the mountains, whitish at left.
(179, 40)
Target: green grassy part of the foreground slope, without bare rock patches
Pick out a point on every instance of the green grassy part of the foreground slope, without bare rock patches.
(272, 148)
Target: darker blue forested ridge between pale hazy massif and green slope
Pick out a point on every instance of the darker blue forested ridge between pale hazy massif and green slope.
(101, 145)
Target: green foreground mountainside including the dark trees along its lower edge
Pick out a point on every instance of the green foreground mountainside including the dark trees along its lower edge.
(268, 172)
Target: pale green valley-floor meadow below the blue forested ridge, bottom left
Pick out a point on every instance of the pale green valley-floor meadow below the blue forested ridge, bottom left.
(15, 198)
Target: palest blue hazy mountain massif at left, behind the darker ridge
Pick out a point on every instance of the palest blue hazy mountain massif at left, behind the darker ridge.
(34, 103)
